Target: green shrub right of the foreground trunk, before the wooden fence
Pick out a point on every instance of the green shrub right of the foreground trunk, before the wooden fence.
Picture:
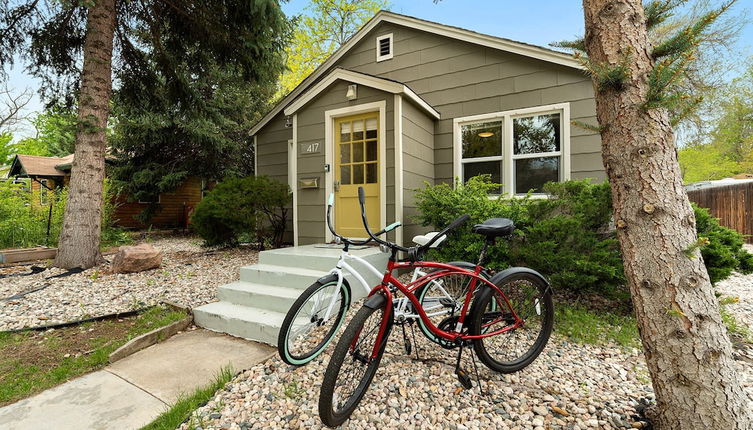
(724, 252)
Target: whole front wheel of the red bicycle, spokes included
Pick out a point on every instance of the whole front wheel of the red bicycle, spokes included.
(351, 368)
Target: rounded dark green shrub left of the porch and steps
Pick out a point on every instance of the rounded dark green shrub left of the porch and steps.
(253, 207)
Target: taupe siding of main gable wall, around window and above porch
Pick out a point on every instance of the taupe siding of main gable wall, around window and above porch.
(461, 79)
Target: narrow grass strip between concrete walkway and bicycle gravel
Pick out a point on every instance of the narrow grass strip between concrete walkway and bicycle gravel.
(185, 405)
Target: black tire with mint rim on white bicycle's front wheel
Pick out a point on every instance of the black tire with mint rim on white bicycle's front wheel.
(295, 358)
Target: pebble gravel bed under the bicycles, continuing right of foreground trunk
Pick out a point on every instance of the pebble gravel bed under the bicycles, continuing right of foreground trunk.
(570, 386)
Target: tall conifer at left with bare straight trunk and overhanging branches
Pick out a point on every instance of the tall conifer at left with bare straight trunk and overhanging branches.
(73, 46)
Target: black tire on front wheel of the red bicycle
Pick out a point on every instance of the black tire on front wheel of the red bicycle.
(353, 334)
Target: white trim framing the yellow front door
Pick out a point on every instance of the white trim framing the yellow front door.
(329, 150)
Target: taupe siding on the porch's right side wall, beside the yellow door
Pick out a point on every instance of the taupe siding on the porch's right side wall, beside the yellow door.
(418, 163)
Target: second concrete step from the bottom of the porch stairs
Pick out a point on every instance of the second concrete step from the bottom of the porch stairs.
(273, 298)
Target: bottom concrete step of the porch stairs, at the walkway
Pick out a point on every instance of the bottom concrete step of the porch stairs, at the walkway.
(261, 325)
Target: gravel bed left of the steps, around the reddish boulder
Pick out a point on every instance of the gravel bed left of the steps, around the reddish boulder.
(189, 276)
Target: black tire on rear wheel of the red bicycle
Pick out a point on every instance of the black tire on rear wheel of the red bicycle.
(479, 316)
